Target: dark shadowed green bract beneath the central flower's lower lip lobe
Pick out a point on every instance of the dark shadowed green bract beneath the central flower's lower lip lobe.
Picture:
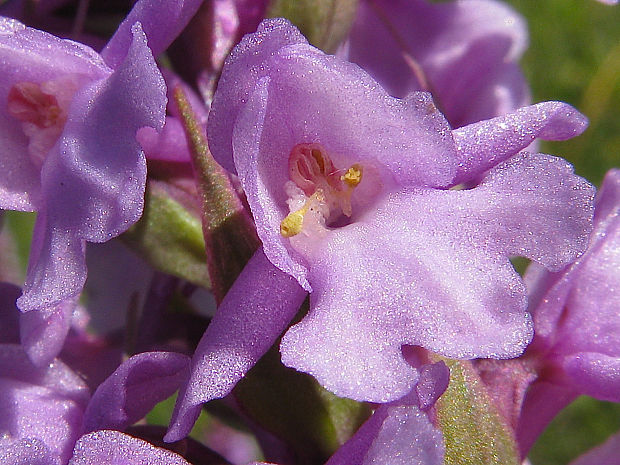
(295, 408)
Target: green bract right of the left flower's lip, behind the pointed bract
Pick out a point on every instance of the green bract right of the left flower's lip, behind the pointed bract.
(169, 237)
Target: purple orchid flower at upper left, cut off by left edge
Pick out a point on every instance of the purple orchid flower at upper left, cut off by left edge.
(70, 153)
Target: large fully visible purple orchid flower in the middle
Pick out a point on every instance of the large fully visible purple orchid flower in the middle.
(350, 191)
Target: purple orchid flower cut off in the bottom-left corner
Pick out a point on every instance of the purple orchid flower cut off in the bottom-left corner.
(46, 409)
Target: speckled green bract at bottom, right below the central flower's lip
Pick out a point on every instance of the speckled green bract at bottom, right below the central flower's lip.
(473, 430)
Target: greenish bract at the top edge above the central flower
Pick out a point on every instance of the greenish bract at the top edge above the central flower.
(324, 22)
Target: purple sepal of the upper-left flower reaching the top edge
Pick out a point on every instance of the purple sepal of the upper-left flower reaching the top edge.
(162, 21)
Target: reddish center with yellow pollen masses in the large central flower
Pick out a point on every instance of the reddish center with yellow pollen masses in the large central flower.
(326, 189)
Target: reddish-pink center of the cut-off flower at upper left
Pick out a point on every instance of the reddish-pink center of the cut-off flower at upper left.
(42, 109)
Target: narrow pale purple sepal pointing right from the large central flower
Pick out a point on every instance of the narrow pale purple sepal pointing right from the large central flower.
(487, 143)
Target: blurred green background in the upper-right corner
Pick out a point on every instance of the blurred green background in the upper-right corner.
(574, 56)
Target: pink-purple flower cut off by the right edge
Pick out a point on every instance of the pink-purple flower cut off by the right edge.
(577, 322)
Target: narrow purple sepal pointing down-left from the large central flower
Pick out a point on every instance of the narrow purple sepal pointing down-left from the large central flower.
(253, 314)
